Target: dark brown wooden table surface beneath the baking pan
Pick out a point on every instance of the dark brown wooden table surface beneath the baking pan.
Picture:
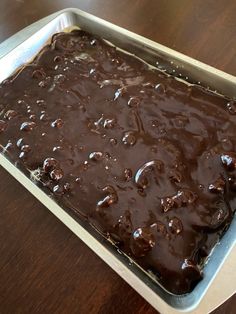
(44, 268)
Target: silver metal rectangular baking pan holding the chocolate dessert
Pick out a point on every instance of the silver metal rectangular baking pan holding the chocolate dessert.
(22, 47)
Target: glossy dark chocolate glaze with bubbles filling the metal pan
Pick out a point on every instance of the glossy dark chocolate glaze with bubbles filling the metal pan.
(149, 161)
